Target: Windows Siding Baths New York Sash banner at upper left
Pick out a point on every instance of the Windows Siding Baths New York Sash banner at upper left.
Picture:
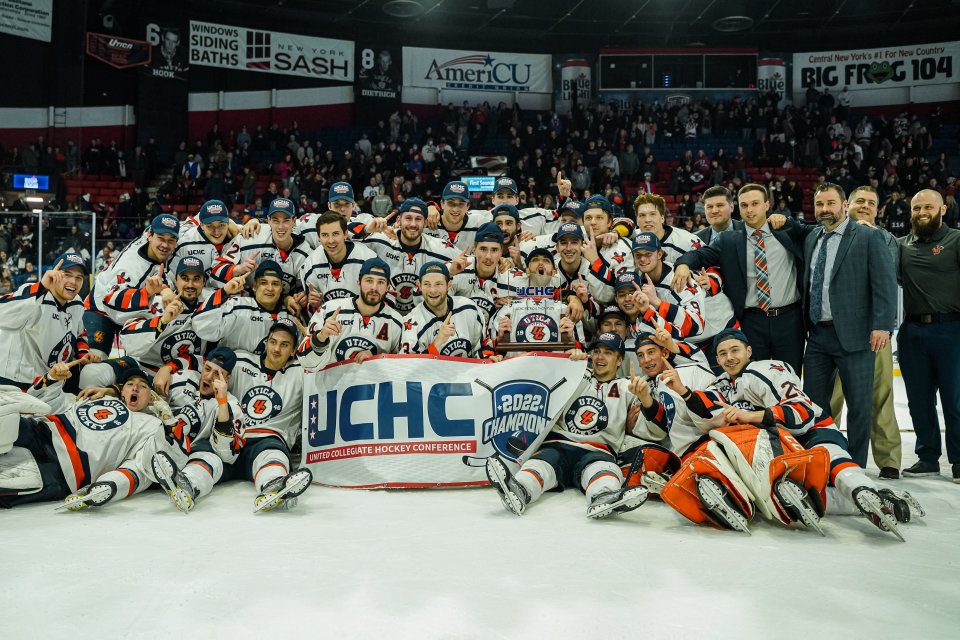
(228, 47)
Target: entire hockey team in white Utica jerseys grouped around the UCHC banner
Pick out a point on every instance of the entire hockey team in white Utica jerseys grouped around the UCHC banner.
(217, 323)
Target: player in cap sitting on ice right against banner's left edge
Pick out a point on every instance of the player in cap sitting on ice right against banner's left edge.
(270, 391)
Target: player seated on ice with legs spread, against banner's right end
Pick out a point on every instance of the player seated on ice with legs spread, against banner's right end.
(580, 449)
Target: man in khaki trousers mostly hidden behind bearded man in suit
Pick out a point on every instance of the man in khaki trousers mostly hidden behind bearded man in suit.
(885, 434)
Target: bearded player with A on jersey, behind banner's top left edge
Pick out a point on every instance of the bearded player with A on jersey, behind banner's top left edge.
(354, 328)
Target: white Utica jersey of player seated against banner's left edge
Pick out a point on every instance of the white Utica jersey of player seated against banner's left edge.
(270, 400)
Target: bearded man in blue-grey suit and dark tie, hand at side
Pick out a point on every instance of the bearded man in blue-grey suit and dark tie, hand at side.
(850, 293)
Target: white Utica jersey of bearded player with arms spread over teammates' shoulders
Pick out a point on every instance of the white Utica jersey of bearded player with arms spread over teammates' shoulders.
(405, 263)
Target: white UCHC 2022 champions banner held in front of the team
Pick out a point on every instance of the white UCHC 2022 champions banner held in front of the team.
(409, 421)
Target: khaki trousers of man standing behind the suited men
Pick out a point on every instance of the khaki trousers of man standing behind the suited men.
(885, 434)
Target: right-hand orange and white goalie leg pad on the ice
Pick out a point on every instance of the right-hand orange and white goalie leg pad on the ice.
(761, 456)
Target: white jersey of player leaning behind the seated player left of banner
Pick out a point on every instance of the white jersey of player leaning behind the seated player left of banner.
(237, 322)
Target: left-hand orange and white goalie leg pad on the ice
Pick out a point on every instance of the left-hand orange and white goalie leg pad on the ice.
(705, 460)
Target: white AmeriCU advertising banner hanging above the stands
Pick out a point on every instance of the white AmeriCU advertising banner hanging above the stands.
(477, 70)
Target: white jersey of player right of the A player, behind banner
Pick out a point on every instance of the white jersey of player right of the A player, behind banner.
(421, 327)
